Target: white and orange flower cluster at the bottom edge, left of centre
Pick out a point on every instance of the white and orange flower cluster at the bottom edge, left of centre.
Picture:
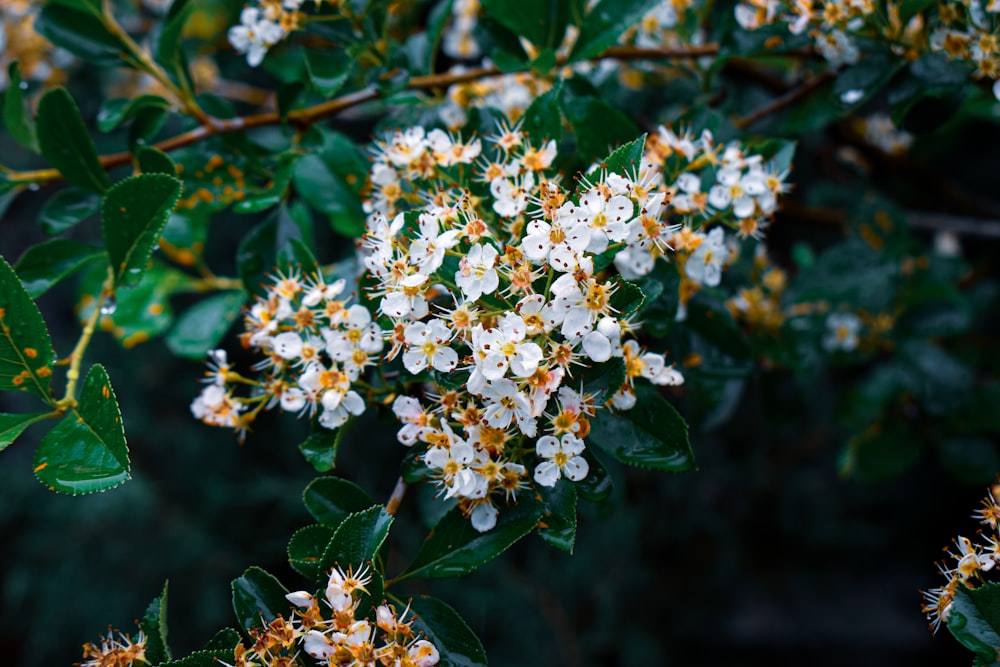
(333, 632)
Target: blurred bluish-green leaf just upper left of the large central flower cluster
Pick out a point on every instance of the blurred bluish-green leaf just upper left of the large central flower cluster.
(326, 191)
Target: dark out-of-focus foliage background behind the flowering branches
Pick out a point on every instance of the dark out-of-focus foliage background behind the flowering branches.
(828, 479)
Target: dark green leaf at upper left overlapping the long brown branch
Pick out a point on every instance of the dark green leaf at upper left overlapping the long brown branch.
(65, 142)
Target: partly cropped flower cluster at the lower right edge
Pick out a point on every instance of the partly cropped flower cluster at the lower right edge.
(970, 560)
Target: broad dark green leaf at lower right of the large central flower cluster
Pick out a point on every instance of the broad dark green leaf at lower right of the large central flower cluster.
(651, 435)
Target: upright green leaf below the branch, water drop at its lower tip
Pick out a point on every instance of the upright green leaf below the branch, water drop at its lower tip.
(133, 216)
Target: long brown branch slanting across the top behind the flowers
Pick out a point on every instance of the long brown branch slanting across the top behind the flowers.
(313, 114)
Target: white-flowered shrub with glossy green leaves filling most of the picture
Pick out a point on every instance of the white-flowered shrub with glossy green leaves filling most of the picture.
(515, 240)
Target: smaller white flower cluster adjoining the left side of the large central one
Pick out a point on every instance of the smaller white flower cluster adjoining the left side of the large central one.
(315, 346)
